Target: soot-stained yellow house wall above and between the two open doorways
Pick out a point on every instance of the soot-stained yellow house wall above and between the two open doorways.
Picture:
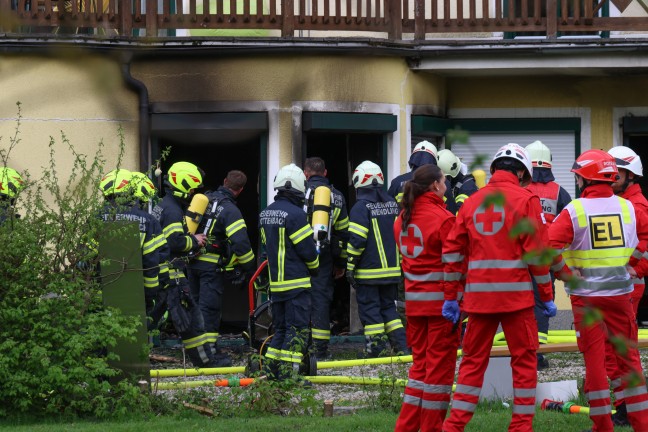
(338, 81)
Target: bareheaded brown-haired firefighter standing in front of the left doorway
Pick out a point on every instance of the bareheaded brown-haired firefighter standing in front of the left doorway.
(228, 246)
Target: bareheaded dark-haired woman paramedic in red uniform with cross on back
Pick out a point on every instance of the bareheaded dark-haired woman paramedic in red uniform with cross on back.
(420, 231)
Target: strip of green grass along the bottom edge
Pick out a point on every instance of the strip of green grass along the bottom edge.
(489, 418)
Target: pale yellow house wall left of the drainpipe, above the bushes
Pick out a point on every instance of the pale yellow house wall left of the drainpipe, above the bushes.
(81, 96)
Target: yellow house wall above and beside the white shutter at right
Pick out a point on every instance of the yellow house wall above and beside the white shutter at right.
(600, 94)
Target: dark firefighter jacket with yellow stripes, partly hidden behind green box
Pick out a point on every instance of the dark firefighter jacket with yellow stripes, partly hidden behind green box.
(152, 241)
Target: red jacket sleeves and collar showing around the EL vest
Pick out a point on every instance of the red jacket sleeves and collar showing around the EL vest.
(561, 232)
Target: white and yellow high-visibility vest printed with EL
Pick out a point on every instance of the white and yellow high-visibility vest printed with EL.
(605, 238)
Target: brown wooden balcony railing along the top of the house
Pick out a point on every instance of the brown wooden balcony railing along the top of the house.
(391, 19)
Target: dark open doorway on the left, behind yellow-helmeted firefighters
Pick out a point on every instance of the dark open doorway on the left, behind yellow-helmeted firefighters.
(218, 143)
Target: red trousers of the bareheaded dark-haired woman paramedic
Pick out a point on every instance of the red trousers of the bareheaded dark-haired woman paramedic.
(434, 345)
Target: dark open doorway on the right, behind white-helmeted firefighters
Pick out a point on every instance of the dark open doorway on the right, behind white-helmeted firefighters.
(342, 152)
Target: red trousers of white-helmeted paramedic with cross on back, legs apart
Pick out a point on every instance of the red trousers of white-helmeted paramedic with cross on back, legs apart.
(521, 331)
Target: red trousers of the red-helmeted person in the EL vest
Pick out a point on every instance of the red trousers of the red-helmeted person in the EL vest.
(618, 322)
